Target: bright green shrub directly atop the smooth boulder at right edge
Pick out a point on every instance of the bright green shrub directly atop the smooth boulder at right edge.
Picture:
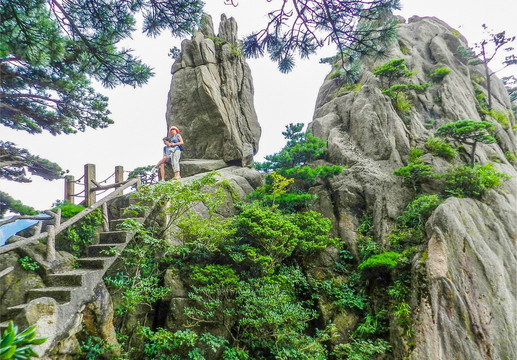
(464, 181)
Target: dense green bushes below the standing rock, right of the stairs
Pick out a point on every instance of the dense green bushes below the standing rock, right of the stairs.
(240, 273)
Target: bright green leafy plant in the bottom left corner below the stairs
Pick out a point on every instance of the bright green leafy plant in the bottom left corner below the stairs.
(14, 345)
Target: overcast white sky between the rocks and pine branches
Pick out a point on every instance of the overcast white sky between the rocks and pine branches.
(139, 114)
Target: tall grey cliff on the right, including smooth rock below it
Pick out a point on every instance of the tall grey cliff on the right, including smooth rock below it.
(466, 304)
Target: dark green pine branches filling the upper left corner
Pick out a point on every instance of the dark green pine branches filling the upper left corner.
(49, 52)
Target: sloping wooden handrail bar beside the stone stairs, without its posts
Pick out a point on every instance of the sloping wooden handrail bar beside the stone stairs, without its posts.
(72, 220)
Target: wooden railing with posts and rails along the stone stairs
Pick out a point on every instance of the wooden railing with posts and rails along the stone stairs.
(54, 229)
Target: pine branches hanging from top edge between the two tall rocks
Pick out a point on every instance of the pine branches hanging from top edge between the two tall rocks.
(301, 27)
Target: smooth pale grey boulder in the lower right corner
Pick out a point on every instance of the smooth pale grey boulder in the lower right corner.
(471, 269)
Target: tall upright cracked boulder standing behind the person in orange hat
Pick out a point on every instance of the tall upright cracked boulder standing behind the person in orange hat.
(211, 97)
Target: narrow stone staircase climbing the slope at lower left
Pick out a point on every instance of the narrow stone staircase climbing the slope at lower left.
(73, 289)
